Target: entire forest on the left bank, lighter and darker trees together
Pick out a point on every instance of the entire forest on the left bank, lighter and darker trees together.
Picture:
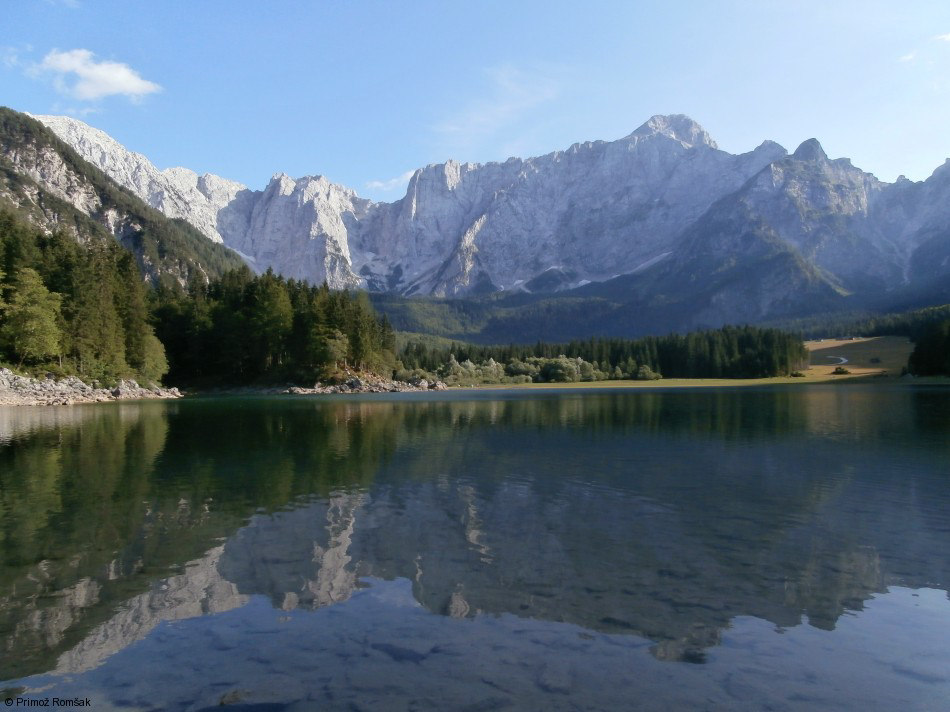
(71, 308)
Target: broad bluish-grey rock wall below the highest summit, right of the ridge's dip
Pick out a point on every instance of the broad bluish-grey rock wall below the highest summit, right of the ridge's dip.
(589, 213)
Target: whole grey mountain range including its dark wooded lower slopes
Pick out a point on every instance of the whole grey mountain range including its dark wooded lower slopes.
(656, 231)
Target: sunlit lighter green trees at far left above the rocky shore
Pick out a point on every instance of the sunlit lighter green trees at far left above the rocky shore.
(74, 308)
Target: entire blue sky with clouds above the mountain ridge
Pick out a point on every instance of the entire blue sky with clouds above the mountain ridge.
(365, 92)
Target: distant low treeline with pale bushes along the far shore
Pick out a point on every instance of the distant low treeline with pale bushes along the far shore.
(729, 352)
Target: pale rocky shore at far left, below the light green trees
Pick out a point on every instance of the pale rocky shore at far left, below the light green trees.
(21, 390)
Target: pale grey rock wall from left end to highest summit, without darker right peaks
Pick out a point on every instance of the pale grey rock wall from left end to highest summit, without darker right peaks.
(591, 212)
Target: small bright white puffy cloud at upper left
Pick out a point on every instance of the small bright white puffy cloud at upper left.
(77, 74)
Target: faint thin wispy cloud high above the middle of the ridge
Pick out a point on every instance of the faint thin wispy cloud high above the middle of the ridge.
(512, 92)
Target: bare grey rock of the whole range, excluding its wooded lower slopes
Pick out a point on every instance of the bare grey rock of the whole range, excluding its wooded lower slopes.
(586, 214)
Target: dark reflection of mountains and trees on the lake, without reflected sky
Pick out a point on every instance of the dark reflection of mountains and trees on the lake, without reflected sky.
(663, 515)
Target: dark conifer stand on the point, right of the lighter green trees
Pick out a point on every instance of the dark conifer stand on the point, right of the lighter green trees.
(242, 329)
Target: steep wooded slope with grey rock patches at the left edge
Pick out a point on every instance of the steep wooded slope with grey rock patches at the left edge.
(49, 184)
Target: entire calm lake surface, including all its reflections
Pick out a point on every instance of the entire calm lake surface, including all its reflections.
(784, 549)
